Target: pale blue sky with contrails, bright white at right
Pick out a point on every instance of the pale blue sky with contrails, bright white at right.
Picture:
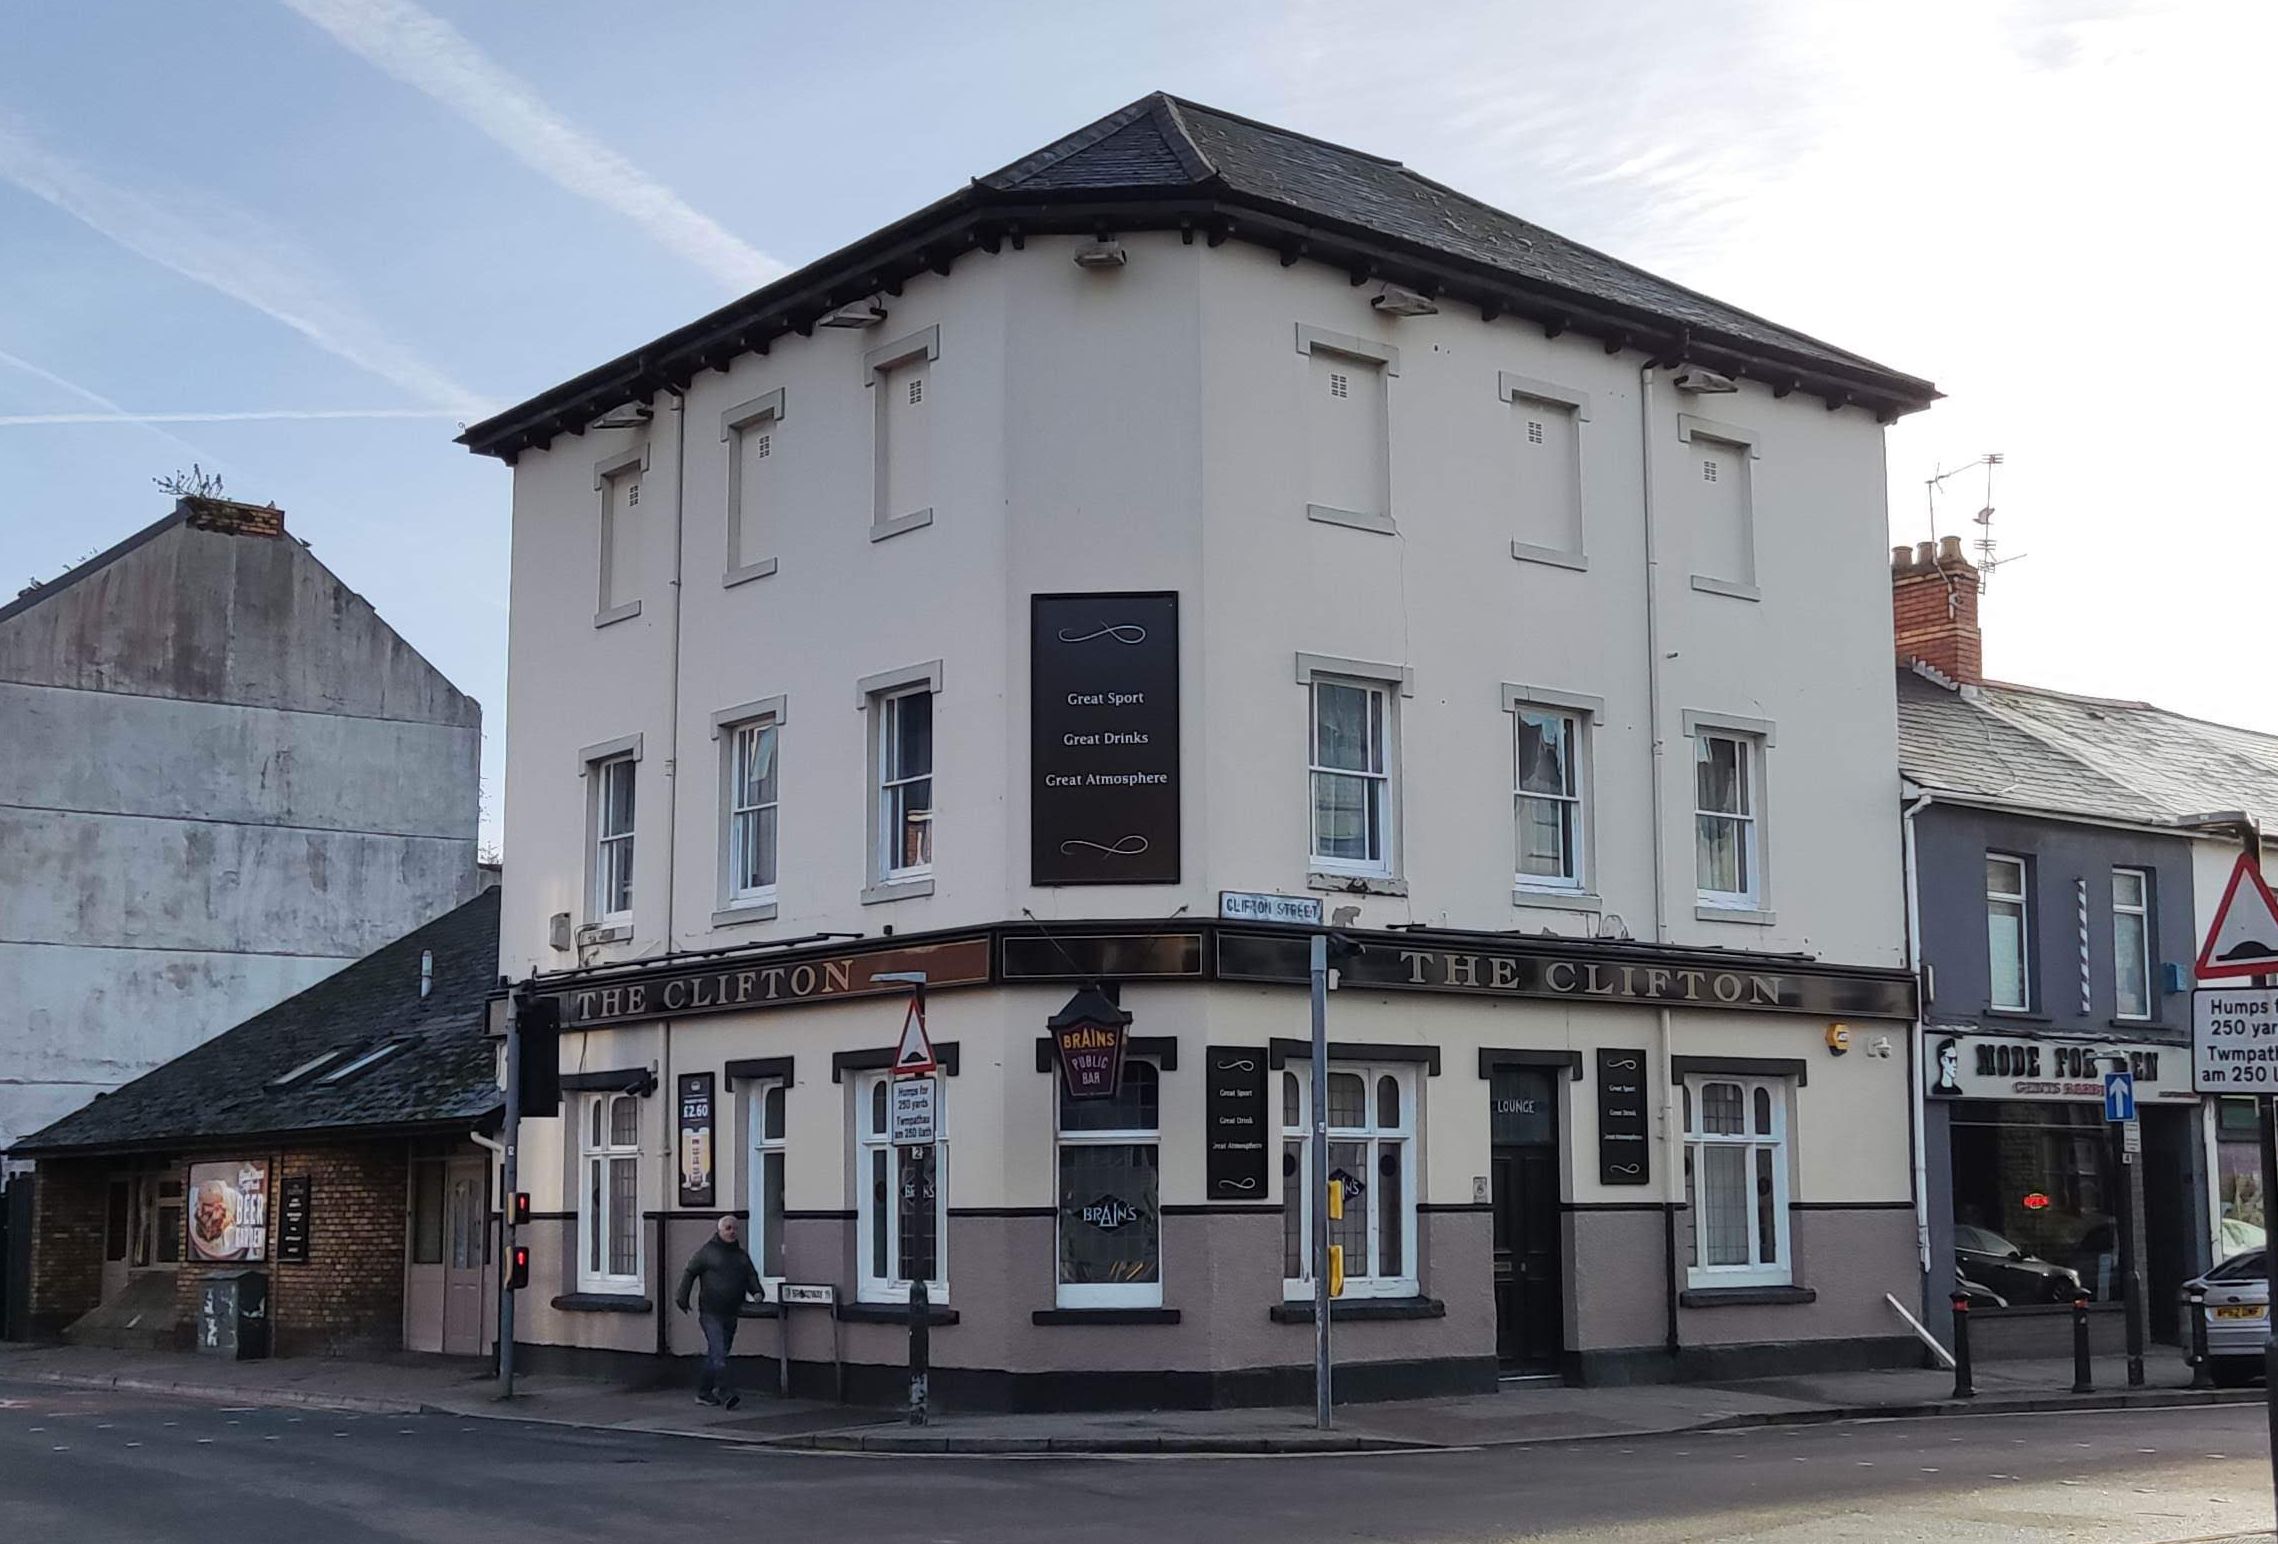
(300, 243)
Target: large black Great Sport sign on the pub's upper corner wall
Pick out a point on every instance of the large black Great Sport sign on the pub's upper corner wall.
(1104, 739)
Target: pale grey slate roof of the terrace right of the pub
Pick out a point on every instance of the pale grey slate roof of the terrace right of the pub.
(2065, 755)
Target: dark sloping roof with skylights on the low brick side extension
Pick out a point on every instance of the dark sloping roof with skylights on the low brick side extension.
(441, 1078)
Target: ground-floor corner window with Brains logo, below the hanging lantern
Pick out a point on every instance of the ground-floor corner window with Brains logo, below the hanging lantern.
(1111, 1194)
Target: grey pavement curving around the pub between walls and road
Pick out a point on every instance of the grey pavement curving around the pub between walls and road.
(1518, 1415)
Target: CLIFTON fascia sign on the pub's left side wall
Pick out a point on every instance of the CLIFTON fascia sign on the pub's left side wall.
(773, 985)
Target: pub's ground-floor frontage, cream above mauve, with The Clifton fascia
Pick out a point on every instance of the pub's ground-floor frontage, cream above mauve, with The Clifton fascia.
(1587, 1160)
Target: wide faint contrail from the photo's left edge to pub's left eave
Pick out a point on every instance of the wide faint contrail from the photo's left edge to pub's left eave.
(231, 252)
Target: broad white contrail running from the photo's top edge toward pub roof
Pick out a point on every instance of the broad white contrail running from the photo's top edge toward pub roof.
(432, 56)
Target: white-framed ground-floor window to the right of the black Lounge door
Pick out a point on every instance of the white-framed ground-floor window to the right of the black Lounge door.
(1737, 1181)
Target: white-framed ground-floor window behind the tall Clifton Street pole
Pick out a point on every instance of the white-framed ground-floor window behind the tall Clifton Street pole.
(1372, 1126)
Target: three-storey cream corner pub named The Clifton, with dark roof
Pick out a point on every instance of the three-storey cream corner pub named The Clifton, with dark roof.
(1081, 593)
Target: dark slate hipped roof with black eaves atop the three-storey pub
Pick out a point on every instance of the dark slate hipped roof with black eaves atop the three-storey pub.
(1174, 165)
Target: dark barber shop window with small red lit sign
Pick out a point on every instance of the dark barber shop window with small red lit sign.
(2035, 1201)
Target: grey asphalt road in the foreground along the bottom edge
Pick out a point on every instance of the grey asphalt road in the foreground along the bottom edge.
(90, 1468)
